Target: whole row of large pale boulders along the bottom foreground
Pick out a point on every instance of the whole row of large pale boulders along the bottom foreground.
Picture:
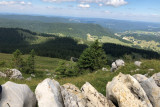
(122, 91)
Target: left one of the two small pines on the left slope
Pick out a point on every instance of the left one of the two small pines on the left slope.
(17, 60)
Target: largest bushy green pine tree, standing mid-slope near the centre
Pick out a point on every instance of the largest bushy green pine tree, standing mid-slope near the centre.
(92, 58)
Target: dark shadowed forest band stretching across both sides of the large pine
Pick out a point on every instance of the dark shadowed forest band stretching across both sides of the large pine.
(59, 47)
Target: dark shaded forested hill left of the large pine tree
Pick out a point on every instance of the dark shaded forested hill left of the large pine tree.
(59, 47)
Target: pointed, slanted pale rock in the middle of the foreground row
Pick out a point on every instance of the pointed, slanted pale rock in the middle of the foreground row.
(94, 98)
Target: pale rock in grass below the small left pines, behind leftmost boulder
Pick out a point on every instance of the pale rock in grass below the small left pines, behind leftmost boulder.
(14, 74)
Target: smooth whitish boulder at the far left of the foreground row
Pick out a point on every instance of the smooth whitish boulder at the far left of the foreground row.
(17, 95)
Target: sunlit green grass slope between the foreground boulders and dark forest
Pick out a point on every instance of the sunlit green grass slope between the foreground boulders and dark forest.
(98, 79)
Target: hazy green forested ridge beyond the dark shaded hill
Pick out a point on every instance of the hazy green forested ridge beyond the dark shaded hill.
(65, 29)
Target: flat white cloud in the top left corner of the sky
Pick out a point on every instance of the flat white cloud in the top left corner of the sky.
(14, 3)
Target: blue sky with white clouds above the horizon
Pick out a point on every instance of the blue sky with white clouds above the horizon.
(138, 10)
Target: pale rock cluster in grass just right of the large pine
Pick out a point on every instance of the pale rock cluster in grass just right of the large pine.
(118, 63)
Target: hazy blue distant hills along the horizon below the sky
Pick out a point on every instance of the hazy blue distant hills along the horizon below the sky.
(112, 24)
